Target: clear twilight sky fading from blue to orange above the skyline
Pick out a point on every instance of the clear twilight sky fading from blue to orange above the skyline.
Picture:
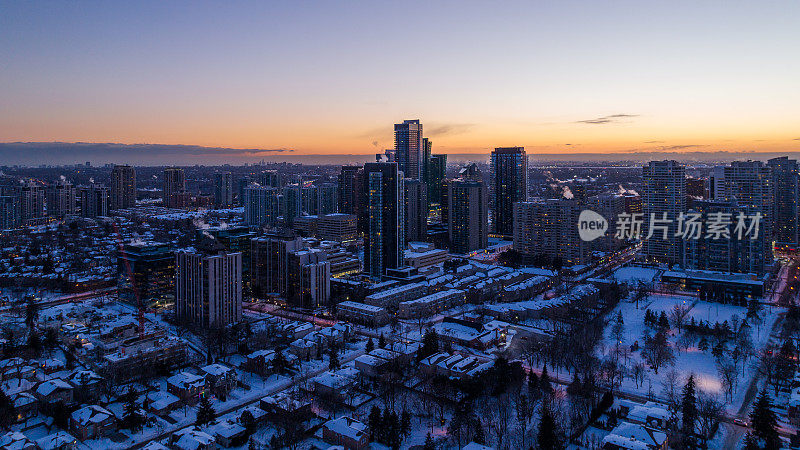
(332, 77)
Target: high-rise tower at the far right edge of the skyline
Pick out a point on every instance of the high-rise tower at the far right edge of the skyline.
(786, 189)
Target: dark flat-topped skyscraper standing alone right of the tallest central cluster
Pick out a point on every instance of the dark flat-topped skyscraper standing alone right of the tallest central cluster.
(509, 184)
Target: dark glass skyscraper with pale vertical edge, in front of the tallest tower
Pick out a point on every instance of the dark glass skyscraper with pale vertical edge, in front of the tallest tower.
(385, 234)
